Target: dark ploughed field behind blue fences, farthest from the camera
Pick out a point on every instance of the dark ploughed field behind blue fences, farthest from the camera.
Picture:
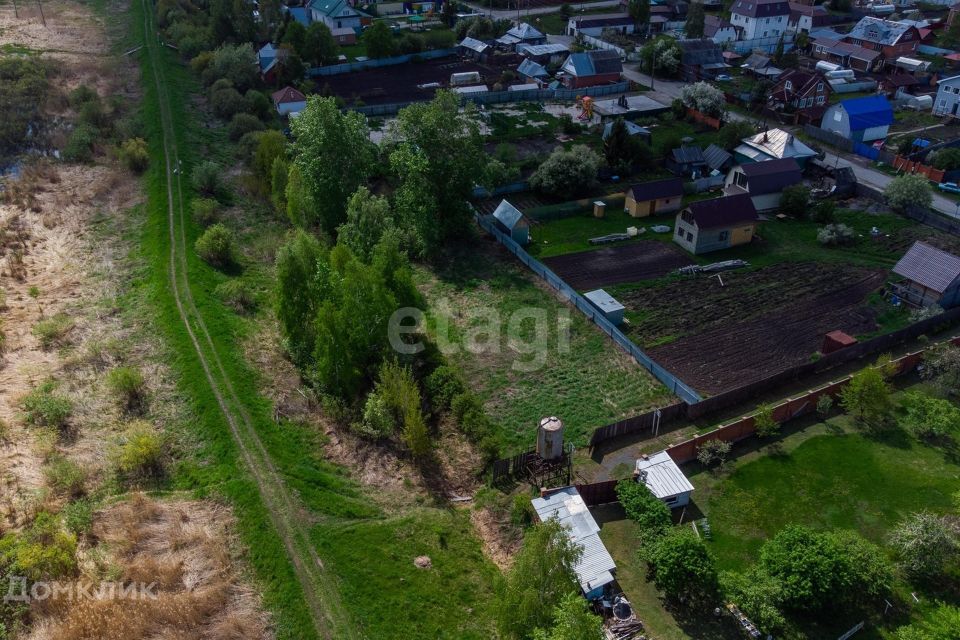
(398, 83)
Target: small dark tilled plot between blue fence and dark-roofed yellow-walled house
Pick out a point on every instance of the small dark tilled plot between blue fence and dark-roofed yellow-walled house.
(644, 260)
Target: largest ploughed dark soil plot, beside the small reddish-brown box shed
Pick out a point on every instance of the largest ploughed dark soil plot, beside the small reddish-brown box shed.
(758, 323)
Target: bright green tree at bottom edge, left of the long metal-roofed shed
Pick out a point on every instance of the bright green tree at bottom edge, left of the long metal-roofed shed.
(541, 575)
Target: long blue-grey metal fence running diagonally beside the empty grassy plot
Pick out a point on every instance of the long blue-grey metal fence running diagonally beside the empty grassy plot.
(677, 386)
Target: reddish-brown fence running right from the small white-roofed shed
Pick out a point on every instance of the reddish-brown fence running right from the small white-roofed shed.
(793, 408)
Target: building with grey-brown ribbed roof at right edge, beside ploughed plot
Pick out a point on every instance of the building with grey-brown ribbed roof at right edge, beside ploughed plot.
(931, 276)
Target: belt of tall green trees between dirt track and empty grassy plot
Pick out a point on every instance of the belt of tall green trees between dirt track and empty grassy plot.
(347, 269)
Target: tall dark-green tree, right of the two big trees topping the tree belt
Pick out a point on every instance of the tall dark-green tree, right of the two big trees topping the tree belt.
(439, 159)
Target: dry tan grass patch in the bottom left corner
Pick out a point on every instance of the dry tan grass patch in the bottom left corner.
(186, 549)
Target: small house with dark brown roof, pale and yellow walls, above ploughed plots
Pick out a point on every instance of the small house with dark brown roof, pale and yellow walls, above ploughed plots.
(721, 223)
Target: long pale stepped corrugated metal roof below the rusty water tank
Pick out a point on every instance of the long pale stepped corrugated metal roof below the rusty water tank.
(595, 566)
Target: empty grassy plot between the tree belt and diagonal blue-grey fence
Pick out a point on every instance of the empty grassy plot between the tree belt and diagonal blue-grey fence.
(586, 381)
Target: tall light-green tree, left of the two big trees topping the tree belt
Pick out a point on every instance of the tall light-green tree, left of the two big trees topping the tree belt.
(334, 155)
